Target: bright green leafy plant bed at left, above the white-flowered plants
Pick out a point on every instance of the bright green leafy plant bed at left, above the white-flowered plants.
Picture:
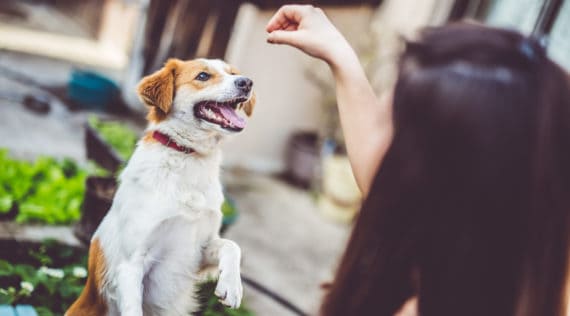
(47, 190)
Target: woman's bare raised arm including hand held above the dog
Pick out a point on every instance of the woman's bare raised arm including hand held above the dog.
(366, 120)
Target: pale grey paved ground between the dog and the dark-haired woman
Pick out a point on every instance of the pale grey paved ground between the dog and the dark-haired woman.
(287, 246)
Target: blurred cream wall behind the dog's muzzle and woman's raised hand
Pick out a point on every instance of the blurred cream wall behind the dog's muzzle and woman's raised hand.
(286, 100)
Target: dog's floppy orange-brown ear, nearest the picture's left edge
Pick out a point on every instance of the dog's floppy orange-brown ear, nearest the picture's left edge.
(157, 90)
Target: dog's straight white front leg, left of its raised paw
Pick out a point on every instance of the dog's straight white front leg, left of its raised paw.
(130, 286)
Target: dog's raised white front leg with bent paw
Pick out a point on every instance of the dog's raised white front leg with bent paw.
(227, 255)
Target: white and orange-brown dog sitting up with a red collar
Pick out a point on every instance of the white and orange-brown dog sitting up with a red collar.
(162, 229)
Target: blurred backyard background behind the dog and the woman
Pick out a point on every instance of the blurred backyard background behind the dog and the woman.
(70, 118)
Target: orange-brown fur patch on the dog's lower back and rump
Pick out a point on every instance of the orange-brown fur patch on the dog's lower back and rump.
(90, 302)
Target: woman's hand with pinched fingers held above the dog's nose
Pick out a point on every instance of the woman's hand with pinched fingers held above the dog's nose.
(308, 29)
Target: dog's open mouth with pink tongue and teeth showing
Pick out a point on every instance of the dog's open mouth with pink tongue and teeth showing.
(221, 113)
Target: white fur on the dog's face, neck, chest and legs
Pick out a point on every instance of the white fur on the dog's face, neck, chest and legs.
(163, 225)
